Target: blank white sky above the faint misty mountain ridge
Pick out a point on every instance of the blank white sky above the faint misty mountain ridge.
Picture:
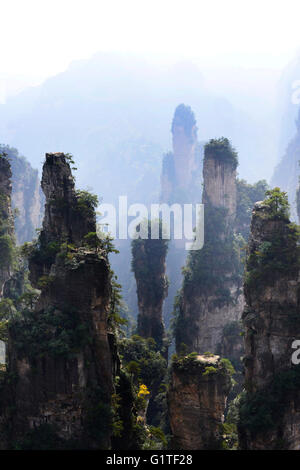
(39, 38)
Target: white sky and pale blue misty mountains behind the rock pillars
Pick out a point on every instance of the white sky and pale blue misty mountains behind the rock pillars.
(101, 80)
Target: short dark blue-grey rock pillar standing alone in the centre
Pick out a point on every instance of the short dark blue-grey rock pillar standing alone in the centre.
(148, 262)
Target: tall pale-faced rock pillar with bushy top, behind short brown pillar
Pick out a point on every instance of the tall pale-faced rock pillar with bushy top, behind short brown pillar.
(211, 297)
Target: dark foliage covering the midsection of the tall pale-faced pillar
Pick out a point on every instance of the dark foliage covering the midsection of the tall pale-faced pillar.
(209, 271)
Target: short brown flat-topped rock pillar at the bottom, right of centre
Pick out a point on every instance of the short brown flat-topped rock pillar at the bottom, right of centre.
(197, 400)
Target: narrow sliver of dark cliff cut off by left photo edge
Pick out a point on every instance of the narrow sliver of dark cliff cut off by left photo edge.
(6, 223)
